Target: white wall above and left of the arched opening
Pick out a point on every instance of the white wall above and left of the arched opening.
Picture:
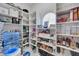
(42, 9)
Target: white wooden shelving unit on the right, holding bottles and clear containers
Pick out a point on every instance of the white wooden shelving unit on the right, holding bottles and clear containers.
(71, 23)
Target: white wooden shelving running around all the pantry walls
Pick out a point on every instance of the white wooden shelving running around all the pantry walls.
(27, 21)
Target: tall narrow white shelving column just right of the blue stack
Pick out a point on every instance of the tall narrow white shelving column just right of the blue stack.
(25, 19)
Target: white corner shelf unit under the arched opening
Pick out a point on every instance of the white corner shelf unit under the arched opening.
(47, 37)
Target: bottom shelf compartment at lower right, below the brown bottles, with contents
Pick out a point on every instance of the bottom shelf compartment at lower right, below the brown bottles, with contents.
(66, 51)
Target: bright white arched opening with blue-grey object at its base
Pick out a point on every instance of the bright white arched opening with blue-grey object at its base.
(49, 18)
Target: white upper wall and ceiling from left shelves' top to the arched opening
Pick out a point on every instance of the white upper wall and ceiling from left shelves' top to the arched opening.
(40, 8)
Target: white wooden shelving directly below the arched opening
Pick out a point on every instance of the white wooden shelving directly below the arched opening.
(47, 36)
